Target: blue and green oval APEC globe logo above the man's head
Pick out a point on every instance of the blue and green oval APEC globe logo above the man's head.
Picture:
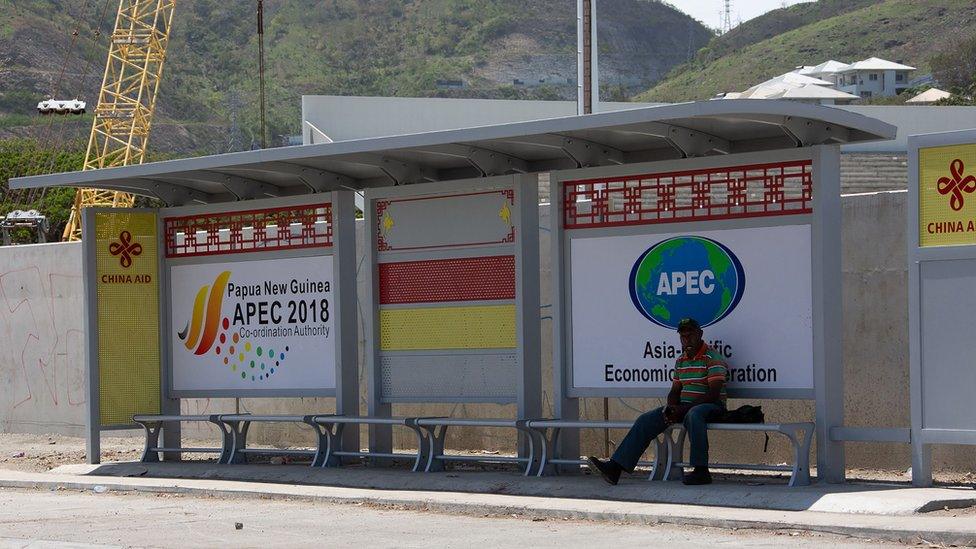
(687, 277)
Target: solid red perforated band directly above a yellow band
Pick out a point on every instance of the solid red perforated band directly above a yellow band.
(440, 280)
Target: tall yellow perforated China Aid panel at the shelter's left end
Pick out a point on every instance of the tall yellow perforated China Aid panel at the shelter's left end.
(128, 316)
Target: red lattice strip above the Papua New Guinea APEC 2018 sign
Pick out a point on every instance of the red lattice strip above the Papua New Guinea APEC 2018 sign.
(288, 228)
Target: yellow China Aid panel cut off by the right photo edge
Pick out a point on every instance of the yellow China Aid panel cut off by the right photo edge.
(947, 207)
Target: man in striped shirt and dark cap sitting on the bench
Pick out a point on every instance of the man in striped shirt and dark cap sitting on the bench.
(697, 396)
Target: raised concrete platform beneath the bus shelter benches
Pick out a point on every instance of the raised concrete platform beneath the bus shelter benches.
(771, 494)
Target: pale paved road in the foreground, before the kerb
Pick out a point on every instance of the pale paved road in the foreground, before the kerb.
(87, 519)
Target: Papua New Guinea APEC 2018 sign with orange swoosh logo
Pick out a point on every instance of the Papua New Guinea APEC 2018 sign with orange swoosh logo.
(253, 325)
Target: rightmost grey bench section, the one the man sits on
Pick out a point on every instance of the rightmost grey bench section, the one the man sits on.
(800, 436)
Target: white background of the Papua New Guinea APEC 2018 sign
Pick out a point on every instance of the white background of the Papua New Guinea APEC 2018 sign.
(309, 362)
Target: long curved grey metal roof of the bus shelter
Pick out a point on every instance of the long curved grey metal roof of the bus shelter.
(624, 137)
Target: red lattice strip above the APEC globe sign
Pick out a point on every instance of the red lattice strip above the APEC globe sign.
(783, 188)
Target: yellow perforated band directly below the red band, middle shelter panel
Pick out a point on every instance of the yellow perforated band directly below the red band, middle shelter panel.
(484, 327)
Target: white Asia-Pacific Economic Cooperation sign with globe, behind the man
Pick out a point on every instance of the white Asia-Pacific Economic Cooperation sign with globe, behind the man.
(751, 290)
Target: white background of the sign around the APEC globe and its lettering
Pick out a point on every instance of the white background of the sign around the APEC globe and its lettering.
(771, 328)
